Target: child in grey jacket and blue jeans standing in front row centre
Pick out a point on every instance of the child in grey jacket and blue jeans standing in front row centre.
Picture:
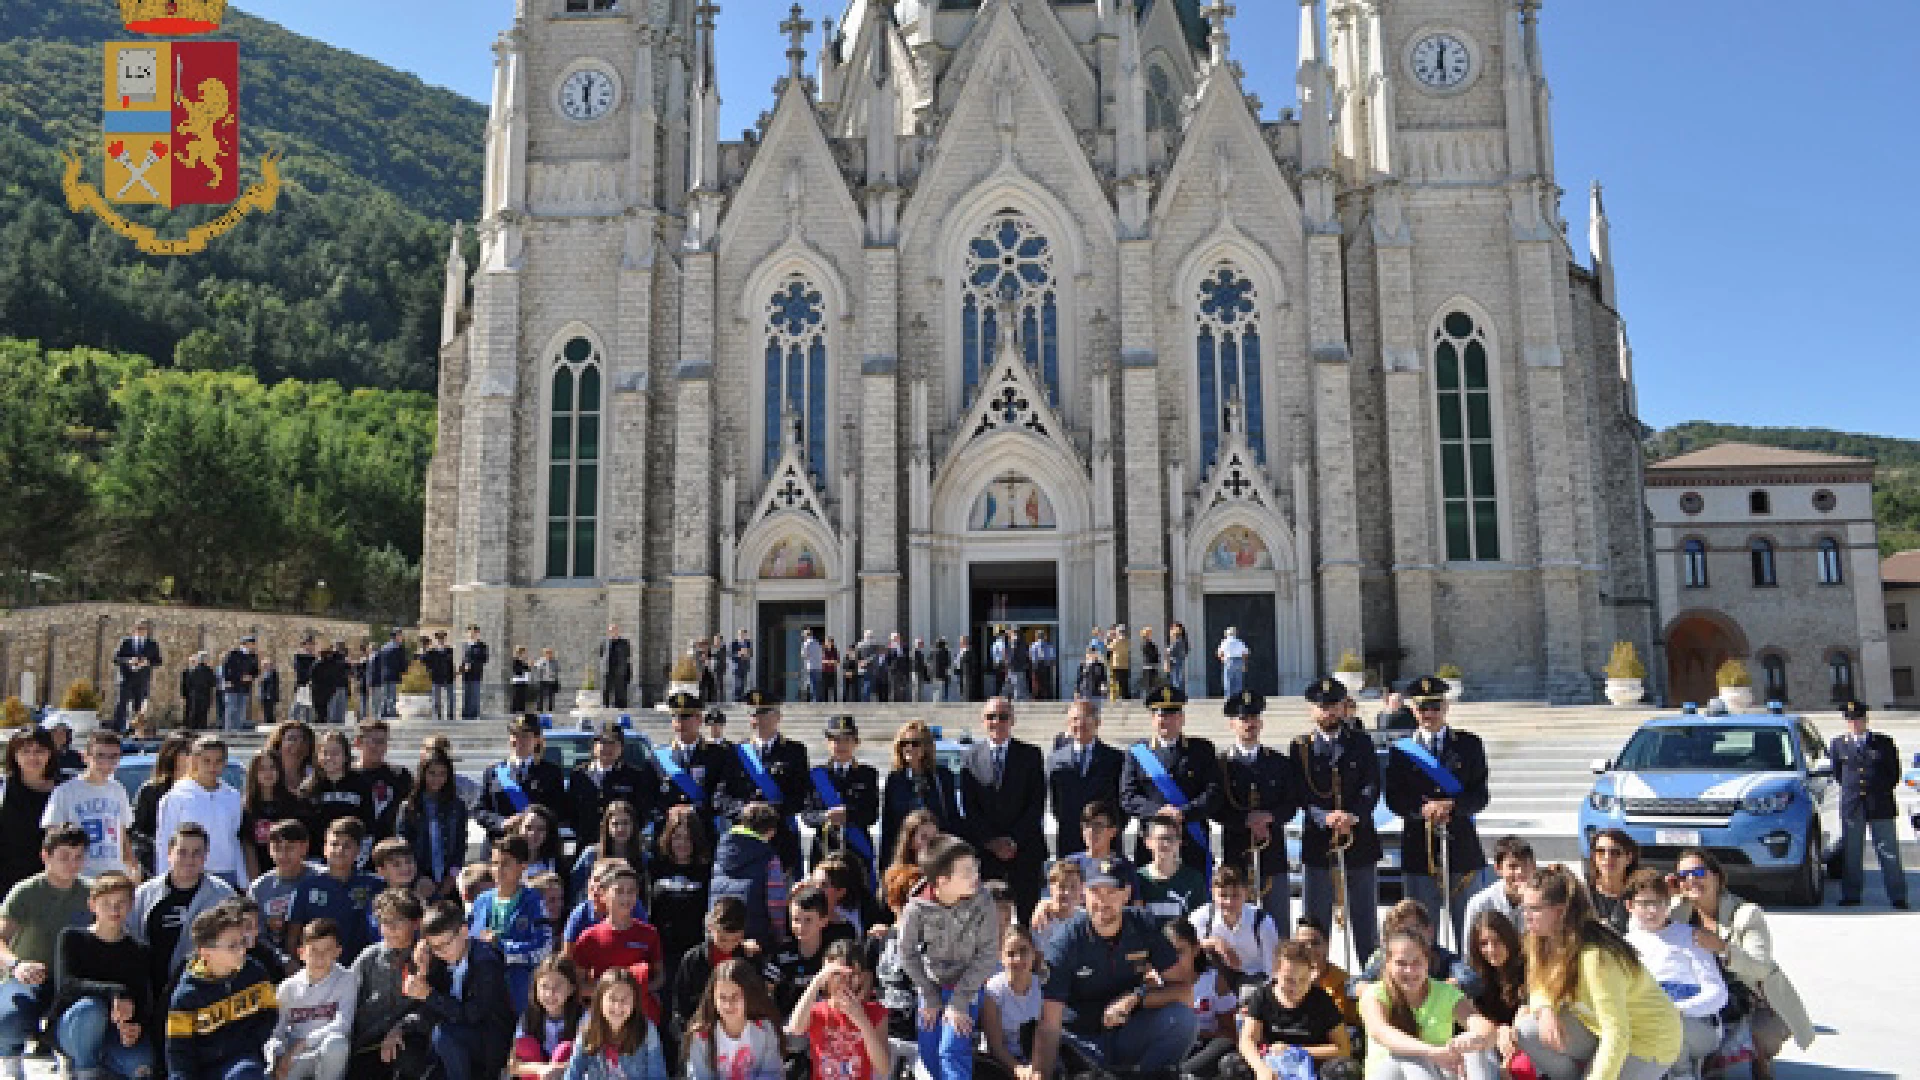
(949, 946)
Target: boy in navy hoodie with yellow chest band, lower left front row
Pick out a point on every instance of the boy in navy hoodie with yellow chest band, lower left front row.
(224, 1012)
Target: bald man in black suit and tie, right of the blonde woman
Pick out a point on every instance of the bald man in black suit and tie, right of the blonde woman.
(1003, 798)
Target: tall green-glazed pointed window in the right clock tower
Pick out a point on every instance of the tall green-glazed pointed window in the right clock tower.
(1470, 491)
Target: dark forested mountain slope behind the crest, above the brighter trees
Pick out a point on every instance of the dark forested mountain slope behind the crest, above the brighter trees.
(341, 282)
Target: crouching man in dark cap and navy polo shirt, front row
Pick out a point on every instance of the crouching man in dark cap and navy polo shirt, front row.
(1116, 993)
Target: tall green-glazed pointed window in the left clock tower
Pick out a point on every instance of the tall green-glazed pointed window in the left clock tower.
(573, 462)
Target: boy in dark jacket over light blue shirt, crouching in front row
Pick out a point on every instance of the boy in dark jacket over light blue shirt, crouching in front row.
(462, 998)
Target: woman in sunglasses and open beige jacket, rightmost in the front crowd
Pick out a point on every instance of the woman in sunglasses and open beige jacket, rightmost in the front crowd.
(1737, 933)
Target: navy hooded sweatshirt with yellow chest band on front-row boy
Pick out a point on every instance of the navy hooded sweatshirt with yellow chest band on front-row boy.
(216, 1023)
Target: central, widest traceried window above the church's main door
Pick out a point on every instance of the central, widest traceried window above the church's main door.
(1011, 260)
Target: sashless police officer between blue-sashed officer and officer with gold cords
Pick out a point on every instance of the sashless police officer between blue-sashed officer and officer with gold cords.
(1259, 798)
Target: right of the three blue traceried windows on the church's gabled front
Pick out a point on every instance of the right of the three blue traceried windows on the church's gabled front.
(1228, 358)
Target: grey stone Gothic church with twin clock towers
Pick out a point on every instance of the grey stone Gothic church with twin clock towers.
(1026, 312)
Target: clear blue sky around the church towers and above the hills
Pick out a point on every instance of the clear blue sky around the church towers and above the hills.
(1756, 155)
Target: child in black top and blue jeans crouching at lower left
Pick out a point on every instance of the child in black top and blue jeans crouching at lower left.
(103, 993)
